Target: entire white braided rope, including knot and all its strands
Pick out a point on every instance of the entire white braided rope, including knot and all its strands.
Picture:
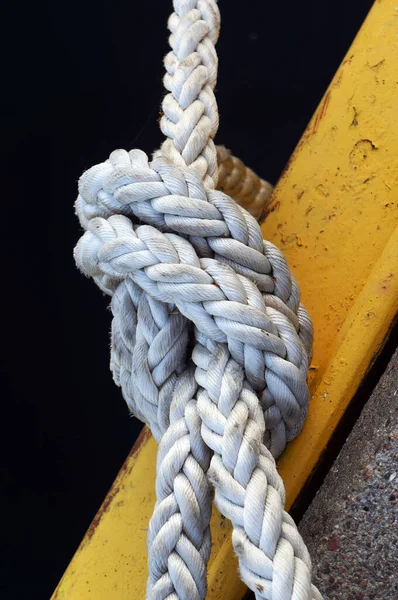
(185, 265)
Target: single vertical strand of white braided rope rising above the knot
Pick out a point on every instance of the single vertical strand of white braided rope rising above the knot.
(190, 119)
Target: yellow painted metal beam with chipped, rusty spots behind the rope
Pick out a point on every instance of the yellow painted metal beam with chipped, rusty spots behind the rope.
(334, 214)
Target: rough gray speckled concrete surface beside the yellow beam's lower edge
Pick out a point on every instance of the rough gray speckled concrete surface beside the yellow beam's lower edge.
(351, 527)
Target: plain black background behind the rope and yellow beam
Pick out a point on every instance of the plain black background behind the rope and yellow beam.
(79, 80)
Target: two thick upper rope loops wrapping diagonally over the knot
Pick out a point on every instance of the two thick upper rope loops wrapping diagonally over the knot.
(205, 255)
